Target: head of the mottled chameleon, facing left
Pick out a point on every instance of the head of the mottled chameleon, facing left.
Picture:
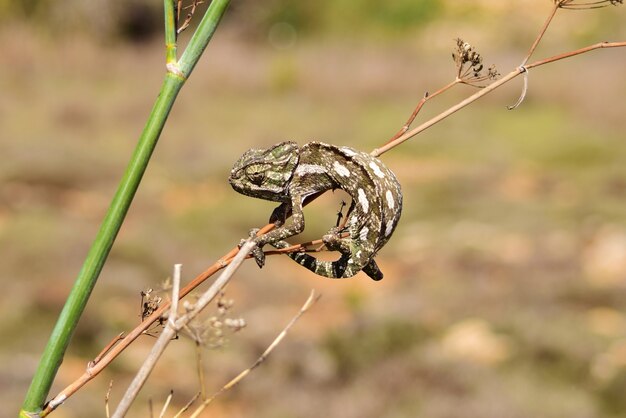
(265, 173)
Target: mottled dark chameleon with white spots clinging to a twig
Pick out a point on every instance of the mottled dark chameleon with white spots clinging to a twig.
(288, 174)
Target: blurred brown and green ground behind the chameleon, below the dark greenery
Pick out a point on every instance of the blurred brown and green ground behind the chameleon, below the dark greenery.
(505, 282)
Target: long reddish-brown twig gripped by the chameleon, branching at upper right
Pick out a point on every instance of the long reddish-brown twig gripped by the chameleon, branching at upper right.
(404, 134)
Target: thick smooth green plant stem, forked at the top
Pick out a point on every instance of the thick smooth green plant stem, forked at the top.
(59, 339)
